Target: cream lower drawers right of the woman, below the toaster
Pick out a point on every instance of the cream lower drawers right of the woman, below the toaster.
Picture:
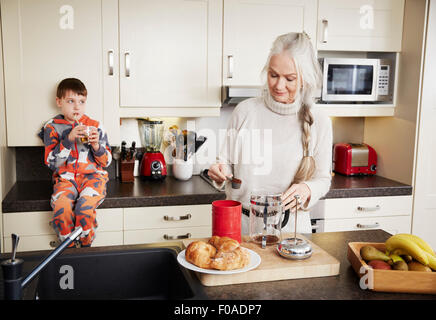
(392, 214)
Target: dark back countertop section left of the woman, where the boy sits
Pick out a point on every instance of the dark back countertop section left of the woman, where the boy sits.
(35, 195)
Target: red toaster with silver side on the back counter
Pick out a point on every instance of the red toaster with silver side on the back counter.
(354, 159)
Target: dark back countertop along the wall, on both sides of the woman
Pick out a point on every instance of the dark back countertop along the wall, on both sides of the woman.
(35, 195)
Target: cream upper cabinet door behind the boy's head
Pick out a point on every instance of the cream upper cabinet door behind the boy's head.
(44, 42)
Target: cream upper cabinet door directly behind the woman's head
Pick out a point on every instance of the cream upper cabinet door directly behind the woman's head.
(250, 28)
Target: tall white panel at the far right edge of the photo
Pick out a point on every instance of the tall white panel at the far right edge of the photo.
(424, 209)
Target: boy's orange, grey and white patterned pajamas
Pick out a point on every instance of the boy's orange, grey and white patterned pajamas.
(79, 179)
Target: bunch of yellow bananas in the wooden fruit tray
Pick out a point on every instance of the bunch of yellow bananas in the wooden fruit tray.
(409, 244)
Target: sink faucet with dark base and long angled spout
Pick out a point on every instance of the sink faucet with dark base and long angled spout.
(13, 281)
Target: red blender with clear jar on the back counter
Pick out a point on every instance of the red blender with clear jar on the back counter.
(153, 164)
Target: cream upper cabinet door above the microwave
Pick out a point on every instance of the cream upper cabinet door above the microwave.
(360, 25)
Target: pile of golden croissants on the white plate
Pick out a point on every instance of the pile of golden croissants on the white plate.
(221, 253)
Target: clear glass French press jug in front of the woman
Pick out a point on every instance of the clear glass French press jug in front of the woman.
(266, 218)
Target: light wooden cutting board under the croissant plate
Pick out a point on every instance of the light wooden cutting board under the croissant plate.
(274, 267)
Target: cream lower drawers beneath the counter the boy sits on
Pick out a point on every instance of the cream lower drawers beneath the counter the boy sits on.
(116, 226)
